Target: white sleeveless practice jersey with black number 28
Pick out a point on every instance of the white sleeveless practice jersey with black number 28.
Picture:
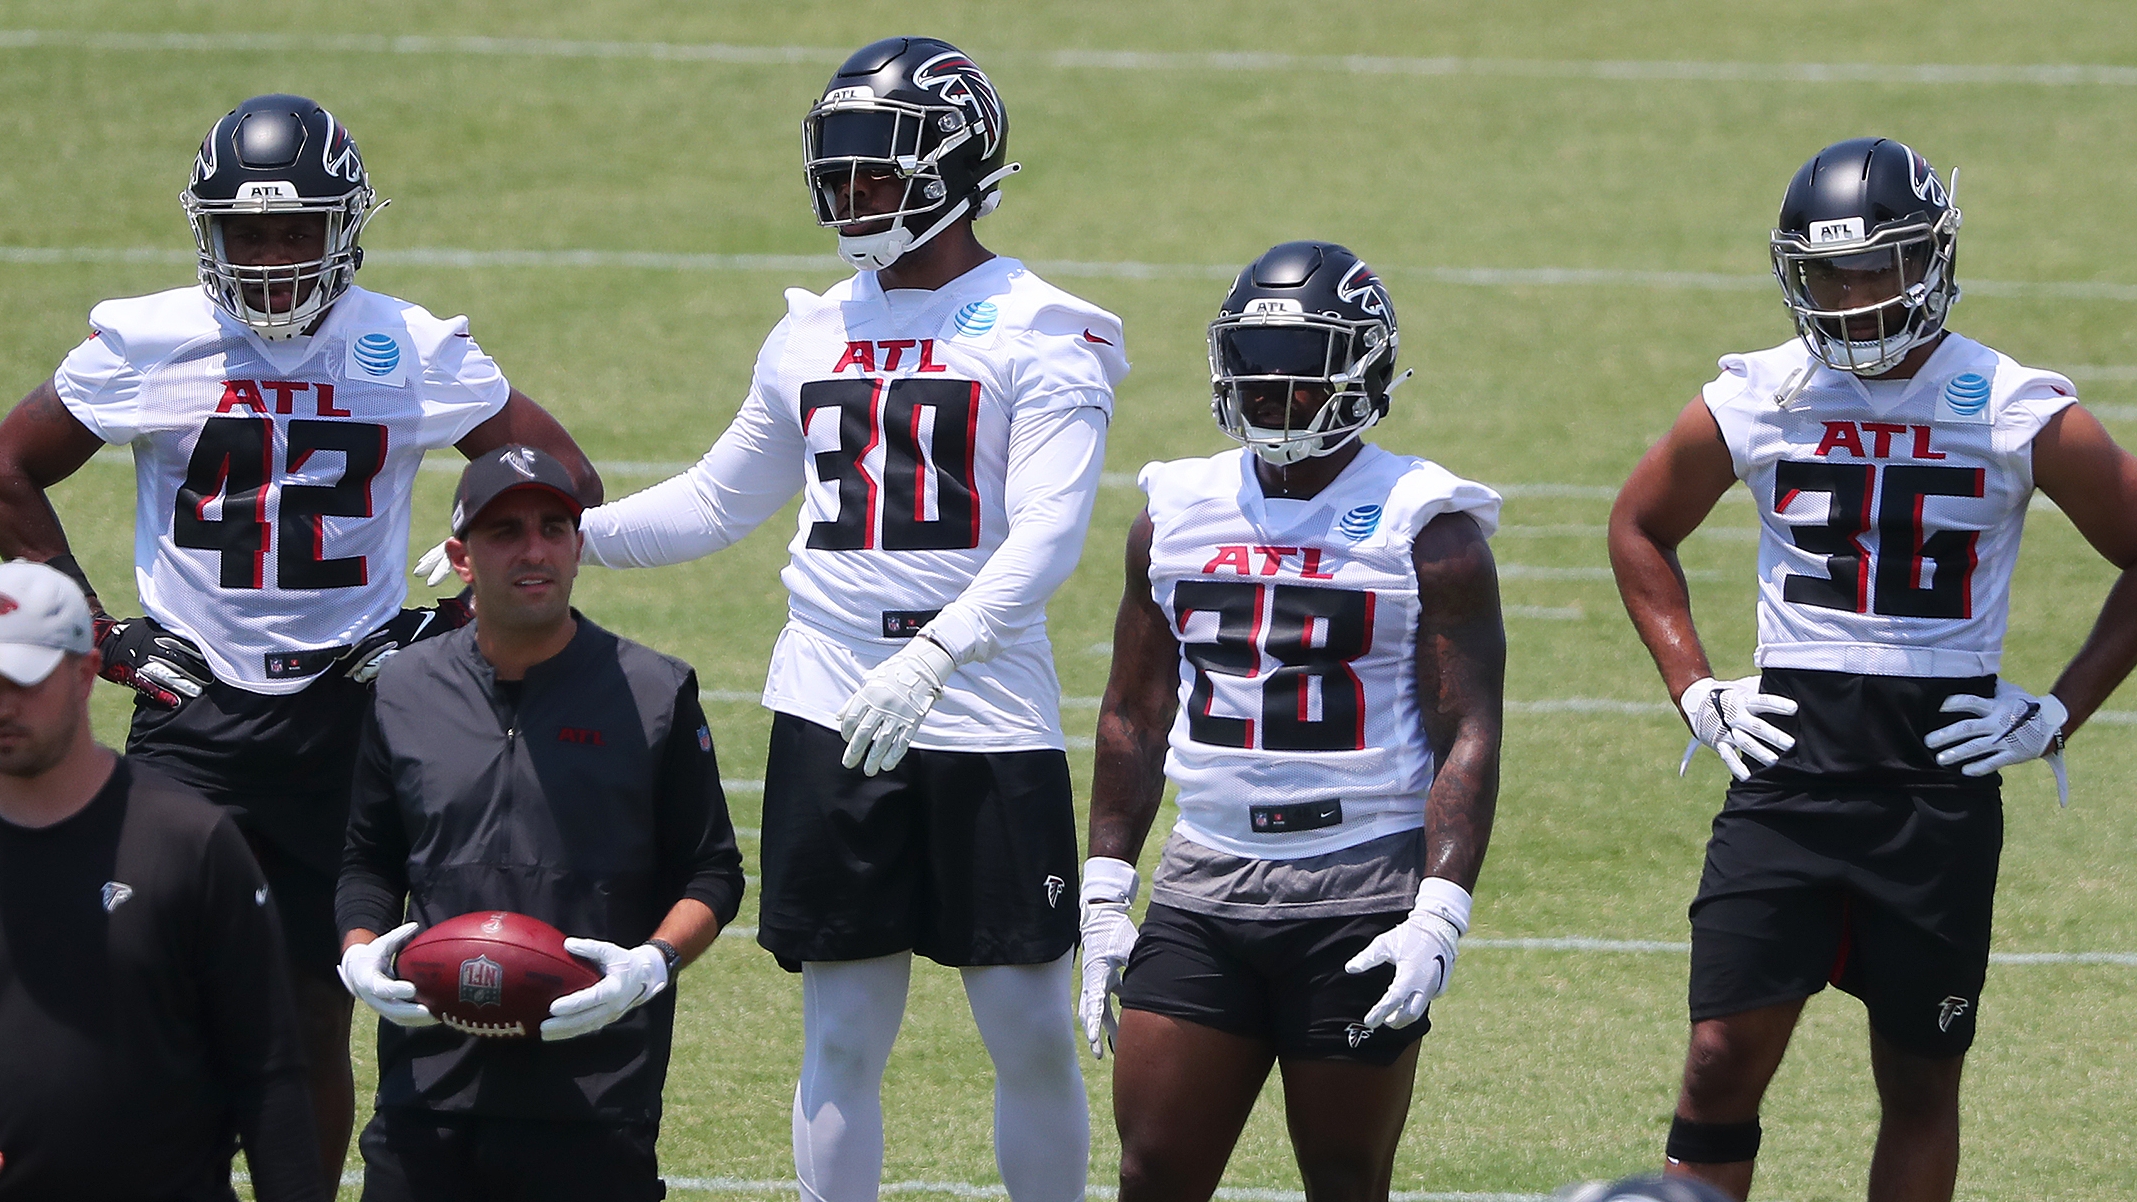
(1298, 632)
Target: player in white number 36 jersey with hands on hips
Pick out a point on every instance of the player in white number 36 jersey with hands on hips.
(1892, 463)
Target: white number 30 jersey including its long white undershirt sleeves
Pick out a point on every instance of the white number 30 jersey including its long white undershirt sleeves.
(948, 448)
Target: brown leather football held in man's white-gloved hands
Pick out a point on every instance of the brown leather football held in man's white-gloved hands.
(493, 972)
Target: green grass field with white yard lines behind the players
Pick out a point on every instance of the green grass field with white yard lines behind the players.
(1570, 204)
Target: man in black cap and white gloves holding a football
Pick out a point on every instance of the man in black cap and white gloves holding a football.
(540, 765)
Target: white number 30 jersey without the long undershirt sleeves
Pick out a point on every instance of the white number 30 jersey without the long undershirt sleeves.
(905, 403)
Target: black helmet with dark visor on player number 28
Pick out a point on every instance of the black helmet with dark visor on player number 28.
(1305, 315)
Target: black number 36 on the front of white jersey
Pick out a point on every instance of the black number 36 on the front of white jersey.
(1918, 572)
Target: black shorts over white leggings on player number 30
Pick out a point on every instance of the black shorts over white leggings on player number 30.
(963, 857)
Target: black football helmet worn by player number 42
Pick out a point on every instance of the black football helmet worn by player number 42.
(279, 155)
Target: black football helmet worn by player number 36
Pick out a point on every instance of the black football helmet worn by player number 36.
(1865, 253)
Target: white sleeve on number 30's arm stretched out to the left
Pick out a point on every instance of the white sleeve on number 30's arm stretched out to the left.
(743, 480)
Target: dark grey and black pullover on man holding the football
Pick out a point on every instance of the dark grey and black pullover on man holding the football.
(587, 797)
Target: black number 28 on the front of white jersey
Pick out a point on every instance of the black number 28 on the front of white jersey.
(1311, 700)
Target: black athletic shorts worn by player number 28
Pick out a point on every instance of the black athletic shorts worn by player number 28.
(1275, 981)
